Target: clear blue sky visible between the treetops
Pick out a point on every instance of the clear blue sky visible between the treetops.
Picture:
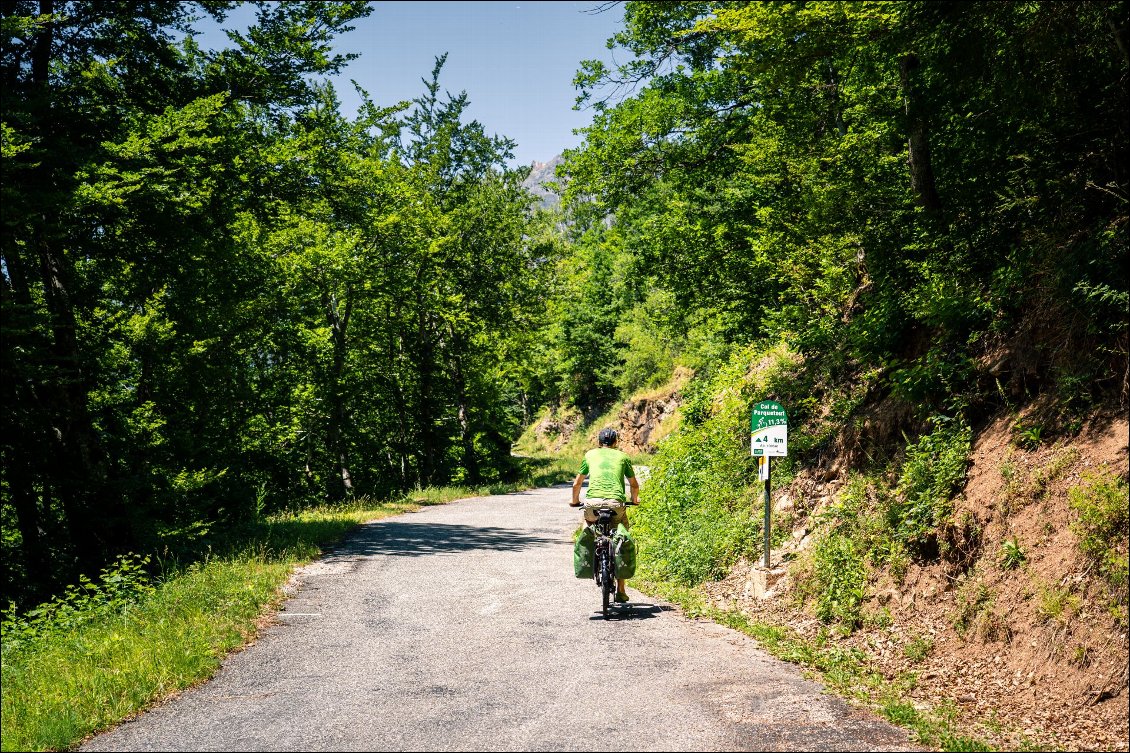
(516, 60)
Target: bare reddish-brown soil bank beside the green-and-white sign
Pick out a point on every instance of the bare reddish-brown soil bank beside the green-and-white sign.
(1030, 655)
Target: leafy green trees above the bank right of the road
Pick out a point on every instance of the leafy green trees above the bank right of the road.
(831, 174)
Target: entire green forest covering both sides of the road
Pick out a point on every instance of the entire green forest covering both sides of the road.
(223, 298)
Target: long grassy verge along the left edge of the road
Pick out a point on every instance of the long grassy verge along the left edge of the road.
(112, 647)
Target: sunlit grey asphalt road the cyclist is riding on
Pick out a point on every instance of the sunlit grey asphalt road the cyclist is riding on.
(462, 628)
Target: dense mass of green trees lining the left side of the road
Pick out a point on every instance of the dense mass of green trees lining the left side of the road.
(234, 297)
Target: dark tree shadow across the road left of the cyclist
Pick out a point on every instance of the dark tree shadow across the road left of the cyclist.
(406, 539)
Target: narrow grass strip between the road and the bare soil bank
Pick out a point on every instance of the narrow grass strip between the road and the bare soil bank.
(846, 672)
